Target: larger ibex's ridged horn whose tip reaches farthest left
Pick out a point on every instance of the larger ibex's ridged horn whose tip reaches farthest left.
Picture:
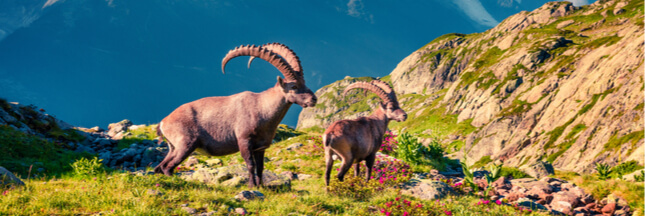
(264, 54)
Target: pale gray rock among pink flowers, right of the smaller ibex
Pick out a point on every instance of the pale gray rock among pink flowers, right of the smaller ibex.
(426, 190)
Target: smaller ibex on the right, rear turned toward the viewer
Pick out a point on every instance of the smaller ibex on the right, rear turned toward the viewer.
(359, 139)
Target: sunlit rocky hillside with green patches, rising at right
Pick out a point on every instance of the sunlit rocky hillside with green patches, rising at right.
(562, 84)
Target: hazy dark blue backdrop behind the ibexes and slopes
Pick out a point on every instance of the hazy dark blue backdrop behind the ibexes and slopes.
(91, 63)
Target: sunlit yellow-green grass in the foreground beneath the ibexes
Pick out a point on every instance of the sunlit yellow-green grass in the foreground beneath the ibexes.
(121, 193)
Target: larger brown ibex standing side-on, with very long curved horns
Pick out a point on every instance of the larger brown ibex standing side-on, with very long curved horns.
(244, 122)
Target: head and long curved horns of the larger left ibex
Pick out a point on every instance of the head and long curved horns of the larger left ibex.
(285, 60)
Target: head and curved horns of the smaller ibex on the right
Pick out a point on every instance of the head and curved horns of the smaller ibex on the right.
(389, 104)
